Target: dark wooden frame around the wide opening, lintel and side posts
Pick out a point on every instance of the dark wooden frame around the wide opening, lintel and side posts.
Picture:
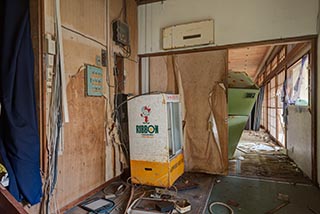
(314, 87)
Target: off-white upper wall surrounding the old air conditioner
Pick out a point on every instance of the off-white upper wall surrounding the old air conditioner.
(235, 21)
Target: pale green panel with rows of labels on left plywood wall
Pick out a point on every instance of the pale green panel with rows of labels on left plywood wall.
(94, 81)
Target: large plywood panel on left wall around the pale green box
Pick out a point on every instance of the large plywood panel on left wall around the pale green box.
(82, 165)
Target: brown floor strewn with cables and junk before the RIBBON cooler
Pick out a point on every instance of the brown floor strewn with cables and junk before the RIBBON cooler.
(189, 194)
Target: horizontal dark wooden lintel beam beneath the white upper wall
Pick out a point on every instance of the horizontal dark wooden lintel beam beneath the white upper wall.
(238, 45)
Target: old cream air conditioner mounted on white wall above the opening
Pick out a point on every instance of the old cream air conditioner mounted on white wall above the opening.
(187, 35)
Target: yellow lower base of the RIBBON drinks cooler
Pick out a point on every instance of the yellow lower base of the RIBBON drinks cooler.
(156, 173)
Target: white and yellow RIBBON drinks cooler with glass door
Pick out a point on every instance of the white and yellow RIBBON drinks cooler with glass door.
(155, 132)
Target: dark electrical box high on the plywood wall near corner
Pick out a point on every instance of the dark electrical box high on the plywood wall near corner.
(120, 33)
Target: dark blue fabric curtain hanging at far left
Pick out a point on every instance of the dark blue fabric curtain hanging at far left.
(19, 138)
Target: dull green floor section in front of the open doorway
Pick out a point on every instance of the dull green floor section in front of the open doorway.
(253, 196)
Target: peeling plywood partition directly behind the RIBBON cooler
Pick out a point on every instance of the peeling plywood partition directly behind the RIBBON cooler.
(196, 78)
